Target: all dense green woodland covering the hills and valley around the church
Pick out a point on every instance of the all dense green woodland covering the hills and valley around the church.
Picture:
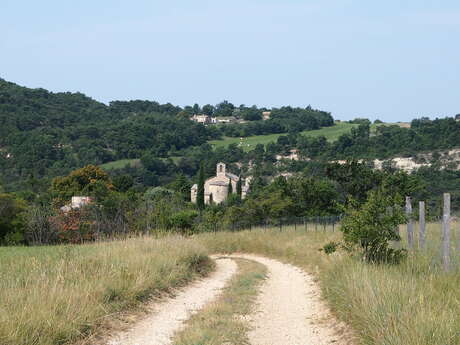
(52, 143)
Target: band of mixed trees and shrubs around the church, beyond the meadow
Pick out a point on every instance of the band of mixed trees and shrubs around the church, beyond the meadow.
(120, 207)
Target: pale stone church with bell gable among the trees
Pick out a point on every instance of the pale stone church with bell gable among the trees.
(217, 187)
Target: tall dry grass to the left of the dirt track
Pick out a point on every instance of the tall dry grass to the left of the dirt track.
(58, 295)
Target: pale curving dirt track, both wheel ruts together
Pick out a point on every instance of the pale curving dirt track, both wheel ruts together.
(288, 310)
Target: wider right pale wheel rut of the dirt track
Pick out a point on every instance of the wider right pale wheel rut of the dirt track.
(289, 310)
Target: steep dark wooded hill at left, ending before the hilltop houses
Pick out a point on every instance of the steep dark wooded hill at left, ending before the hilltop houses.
(44, 133)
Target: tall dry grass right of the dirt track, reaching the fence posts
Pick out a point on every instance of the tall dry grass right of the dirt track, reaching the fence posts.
(414, 303)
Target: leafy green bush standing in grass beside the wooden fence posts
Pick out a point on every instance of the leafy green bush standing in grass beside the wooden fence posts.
(369, 229)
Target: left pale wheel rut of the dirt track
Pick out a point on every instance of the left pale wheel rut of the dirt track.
(168, 317)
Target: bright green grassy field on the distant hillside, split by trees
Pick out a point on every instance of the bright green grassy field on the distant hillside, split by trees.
(249, 143)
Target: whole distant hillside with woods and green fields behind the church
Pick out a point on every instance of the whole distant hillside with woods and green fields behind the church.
(45, 134)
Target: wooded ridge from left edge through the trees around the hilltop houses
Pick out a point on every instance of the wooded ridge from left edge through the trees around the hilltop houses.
(46, 134)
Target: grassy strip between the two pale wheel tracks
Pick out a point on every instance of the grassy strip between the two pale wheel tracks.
(222, 322)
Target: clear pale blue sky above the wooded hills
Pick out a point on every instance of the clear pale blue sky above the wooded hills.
(394, 60)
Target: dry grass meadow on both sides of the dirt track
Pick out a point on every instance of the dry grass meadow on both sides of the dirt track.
(55, 295)
